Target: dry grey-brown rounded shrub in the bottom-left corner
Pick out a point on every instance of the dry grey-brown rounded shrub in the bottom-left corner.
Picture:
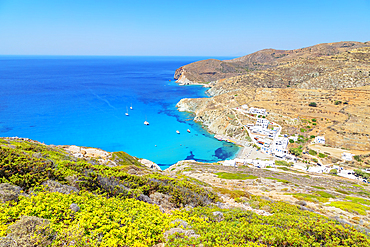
(24, 230)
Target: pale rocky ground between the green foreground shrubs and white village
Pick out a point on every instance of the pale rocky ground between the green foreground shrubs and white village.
(294, 181)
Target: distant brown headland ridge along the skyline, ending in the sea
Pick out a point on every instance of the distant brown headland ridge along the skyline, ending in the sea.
(211, 70)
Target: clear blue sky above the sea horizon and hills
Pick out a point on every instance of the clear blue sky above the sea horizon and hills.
(170, 27)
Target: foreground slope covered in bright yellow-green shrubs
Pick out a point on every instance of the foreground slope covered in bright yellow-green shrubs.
(52, 196)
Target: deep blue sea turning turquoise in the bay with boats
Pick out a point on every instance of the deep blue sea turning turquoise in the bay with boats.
(83, 100)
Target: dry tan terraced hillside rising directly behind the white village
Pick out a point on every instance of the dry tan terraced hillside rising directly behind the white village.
(338, 84)
